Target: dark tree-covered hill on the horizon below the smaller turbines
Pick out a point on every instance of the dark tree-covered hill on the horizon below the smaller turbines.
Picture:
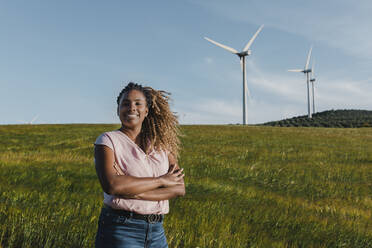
(329, 118)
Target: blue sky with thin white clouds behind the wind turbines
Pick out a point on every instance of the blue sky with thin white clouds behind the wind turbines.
(66, 61)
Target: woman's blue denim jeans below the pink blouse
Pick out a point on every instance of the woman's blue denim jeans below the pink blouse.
(120, 231)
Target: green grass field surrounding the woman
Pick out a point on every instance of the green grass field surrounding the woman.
(246, 187)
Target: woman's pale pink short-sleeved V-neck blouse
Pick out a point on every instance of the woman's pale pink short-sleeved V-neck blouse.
(133, 161)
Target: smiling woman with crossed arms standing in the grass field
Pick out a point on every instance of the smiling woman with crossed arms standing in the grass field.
(137, 168)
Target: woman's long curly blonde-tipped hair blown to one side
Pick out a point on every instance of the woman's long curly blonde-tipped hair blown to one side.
(160, 129)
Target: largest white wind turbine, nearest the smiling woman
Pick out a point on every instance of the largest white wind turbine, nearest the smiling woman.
(242, 55)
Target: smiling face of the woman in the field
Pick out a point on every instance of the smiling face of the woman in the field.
(132, 109)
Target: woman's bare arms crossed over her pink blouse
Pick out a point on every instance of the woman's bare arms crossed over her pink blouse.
(165, 187)
